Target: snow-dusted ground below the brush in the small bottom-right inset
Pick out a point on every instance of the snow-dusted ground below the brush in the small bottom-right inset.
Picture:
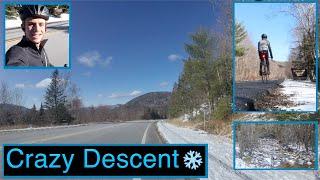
(270, 154)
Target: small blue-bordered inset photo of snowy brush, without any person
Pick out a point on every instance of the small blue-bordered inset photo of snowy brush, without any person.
(275, 145)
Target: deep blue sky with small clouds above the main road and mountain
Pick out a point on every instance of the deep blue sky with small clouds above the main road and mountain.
(121, 49)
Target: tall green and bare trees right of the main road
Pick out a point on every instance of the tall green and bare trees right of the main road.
(203, 90)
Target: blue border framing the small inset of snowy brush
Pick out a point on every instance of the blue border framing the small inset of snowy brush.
(315, 123)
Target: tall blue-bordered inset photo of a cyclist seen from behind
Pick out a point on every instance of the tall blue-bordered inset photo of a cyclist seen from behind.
(275, 56)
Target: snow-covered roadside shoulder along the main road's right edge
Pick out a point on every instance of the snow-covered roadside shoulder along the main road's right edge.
(221, 156)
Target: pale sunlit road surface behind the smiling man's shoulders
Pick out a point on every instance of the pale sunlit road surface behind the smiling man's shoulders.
(57, 46)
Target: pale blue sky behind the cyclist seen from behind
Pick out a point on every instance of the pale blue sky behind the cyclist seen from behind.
(260, 18)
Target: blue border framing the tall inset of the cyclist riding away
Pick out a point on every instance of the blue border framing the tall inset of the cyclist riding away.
(234, 108)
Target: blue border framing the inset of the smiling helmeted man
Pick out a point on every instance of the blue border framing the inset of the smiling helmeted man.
(59, 2)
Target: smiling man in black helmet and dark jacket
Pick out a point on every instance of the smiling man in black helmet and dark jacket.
(30, 50)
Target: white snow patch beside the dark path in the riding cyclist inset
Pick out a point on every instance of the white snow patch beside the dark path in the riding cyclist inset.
(302, 93)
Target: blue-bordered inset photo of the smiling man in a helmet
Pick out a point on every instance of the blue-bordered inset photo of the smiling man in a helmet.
(37, 35)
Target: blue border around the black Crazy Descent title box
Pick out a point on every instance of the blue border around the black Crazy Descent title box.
(115, 177)
